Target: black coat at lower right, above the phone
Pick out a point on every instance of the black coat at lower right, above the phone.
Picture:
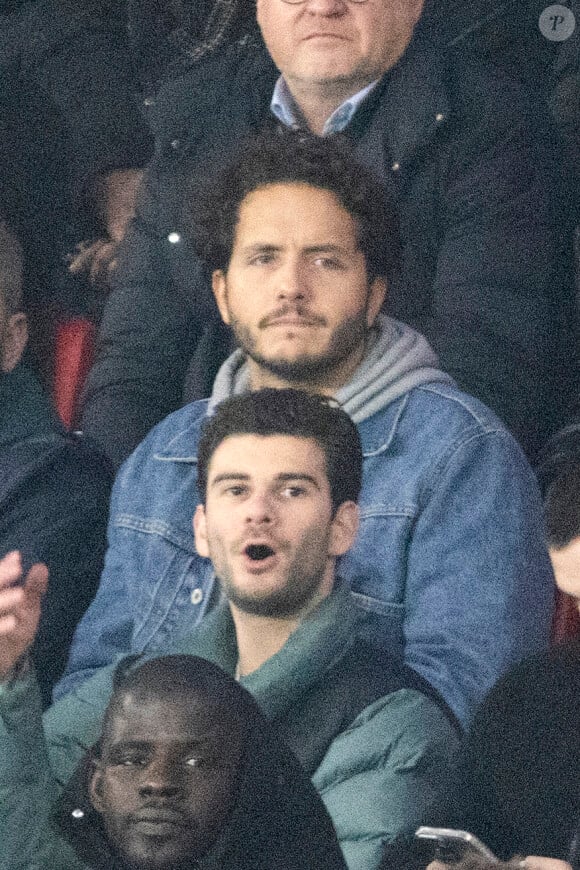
(519, 781)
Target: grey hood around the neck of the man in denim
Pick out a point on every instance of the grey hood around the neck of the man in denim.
(397, 359)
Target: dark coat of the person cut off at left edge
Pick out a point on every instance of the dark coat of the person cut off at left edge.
(54, 497)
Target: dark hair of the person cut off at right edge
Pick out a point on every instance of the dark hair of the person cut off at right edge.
(559, 476)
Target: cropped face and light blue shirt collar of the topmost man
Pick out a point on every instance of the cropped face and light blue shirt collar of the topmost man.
(332, 55)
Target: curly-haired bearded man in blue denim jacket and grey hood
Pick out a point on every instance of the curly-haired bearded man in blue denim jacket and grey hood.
(449, 560)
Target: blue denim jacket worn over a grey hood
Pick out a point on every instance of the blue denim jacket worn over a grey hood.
(450, 560)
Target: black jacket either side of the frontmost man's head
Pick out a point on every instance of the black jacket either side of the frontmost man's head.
(278, 821)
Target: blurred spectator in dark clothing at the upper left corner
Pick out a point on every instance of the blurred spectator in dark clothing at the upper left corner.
(69, 92)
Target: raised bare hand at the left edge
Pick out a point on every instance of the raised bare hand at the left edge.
(19, 609)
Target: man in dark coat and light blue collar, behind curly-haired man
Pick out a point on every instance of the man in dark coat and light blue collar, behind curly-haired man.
(463, 150)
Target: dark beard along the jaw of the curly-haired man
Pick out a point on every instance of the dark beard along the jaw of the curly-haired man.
(306, 368)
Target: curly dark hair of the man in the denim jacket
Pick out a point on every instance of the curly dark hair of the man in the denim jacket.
(289, 157)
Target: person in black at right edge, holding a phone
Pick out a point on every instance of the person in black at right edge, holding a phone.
(518, 783)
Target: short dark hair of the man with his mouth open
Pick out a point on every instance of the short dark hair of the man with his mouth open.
(295, 413)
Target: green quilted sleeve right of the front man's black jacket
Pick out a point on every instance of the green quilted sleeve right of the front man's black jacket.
(381, 774)
